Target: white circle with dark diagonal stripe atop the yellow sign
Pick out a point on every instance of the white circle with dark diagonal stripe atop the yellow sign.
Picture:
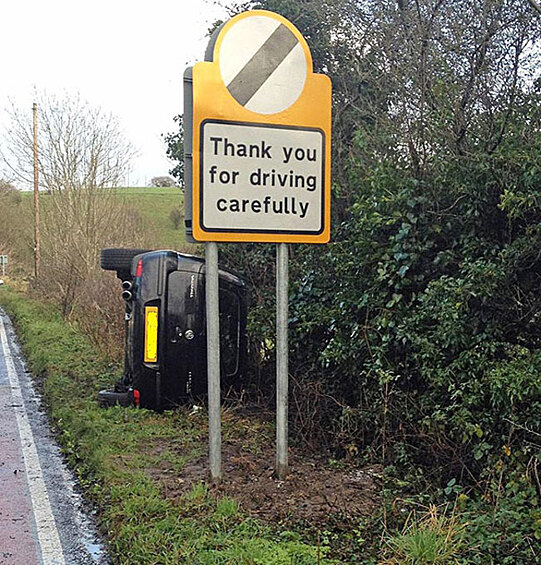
(262, 64)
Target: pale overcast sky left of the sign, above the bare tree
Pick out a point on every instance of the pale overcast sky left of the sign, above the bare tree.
(125, 56)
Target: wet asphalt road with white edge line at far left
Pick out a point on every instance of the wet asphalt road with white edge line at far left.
(43, 519)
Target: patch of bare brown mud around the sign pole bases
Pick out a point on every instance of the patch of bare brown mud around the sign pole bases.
(315, 491)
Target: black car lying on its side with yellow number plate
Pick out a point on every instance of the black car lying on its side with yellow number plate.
(165, 362)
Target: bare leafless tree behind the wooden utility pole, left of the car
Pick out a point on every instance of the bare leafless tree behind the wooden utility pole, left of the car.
(82, 153)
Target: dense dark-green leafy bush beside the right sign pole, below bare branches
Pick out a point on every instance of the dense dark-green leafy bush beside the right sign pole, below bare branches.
(415, 334)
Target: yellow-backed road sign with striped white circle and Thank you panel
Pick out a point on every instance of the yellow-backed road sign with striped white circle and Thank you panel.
(261, 136)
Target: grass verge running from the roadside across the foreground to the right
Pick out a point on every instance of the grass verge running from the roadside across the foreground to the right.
(116, 453)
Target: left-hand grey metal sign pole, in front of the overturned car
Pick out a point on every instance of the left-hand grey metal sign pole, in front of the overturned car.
(213, 361)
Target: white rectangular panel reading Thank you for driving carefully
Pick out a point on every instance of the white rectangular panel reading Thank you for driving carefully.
(261, 178)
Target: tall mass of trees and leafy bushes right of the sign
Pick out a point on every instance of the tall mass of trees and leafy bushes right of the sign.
(431, 282)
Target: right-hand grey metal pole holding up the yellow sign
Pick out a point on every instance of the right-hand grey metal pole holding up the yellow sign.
(281, 359)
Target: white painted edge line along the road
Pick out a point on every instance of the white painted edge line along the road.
(48, 538)
